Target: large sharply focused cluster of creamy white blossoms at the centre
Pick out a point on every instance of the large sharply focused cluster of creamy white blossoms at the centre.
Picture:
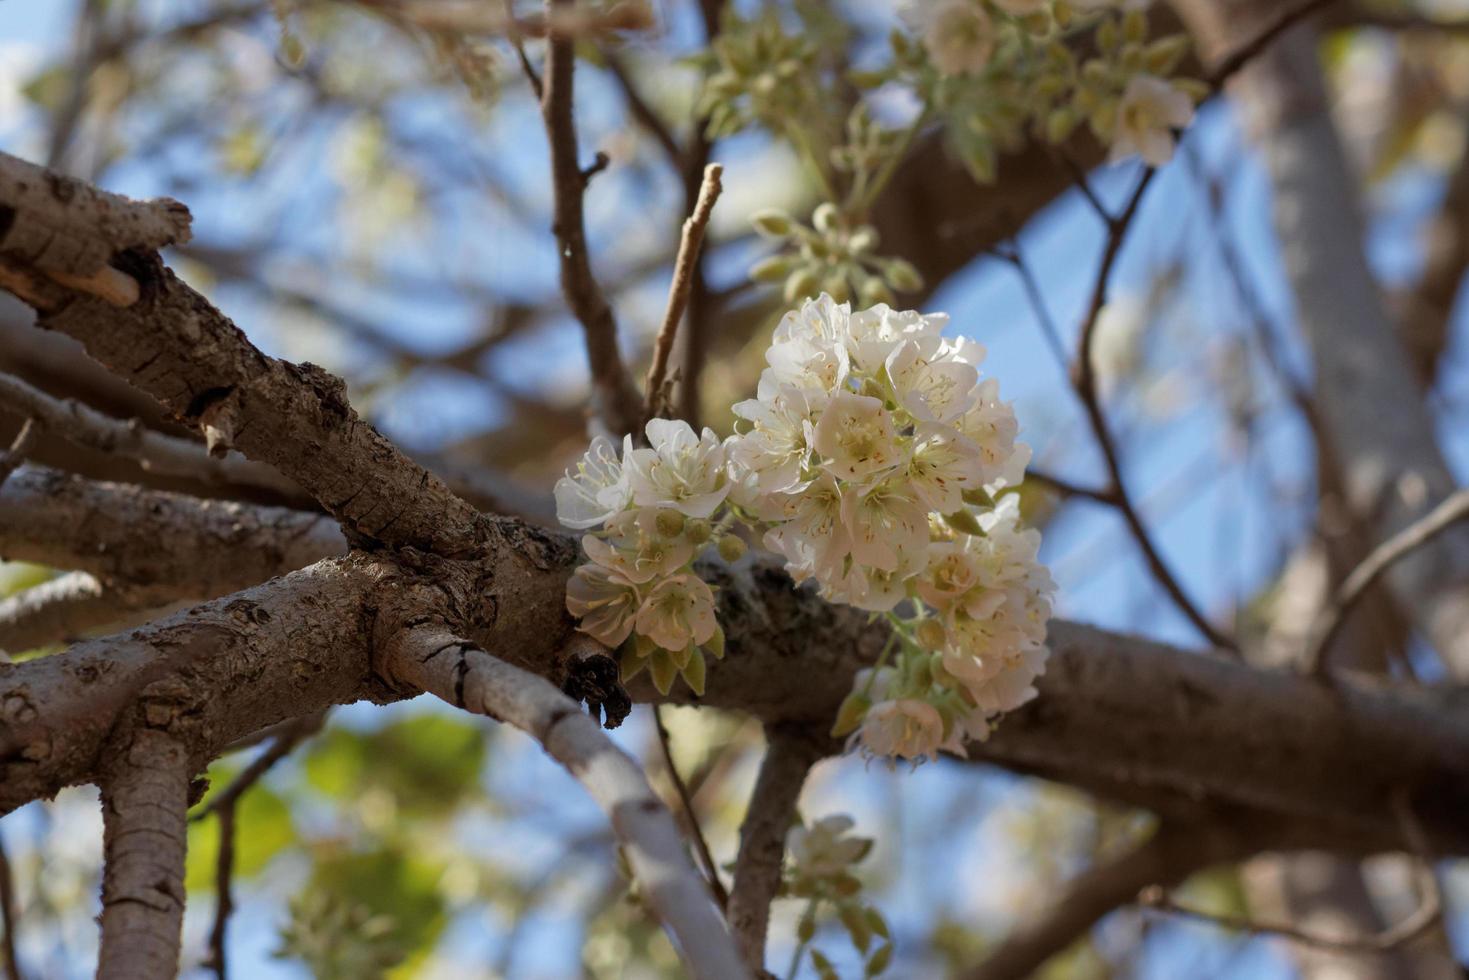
(873, 461)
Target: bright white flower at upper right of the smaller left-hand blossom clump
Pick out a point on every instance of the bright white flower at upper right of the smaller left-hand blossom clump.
(681, 471)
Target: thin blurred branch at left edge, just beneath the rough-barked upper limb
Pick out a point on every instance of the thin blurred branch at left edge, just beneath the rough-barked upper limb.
(156, 452)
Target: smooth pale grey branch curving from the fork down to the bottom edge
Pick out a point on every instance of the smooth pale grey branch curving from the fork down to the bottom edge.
(466, 677)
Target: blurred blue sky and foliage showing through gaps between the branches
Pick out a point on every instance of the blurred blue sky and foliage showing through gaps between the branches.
(375, 198)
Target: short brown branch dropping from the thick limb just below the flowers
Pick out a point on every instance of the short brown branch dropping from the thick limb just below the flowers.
(763, 837)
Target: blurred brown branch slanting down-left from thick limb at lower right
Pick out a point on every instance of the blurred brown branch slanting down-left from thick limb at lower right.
(1170, 856)
